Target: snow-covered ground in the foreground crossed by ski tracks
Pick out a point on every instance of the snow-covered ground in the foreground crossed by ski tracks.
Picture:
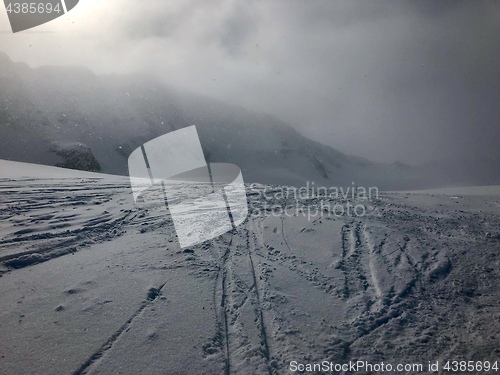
(91, 283)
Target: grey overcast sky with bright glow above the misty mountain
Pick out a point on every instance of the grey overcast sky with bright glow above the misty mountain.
(406, 81)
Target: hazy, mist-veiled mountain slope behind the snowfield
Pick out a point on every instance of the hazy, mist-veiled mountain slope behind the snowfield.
(68, 116)
